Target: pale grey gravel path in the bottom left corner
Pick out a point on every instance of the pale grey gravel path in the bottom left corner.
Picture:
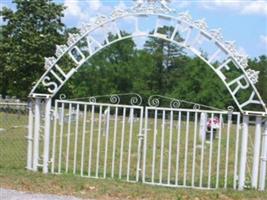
(15, 195)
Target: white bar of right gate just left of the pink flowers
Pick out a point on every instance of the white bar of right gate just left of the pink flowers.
(203, 138)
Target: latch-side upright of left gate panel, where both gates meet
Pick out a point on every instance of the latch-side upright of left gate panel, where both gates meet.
(140, 140)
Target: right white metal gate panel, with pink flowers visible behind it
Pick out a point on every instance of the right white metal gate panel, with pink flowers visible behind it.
(186, 148)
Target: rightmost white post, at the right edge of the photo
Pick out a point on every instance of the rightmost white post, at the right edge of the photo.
(263, 160)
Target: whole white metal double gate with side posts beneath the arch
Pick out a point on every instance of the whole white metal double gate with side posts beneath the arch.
(174, 147)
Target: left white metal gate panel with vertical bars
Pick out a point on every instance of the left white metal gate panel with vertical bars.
(97, 140)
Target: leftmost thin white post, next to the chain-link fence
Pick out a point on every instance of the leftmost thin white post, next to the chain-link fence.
(30, 137)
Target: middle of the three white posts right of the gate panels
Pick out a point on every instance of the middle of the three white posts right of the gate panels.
(256, 155)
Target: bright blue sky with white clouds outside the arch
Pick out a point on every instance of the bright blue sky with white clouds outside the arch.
(244, 22)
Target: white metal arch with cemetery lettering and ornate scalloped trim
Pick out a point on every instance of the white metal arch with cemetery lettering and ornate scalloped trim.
(92, 38)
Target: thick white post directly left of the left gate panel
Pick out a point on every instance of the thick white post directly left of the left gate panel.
(46, 134)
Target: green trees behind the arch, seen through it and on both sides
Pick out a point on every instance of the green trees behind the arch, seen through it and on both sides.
(35, 27)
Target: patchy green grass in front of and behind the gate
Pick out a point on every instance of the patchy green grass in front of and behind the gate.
(13, 162)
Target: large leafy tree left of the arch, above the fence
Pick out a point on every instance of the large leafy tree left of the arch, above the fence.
(30, 34)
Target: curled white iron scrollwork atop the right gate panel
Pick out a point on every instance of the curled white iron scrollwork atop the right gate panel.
(163, 101)
